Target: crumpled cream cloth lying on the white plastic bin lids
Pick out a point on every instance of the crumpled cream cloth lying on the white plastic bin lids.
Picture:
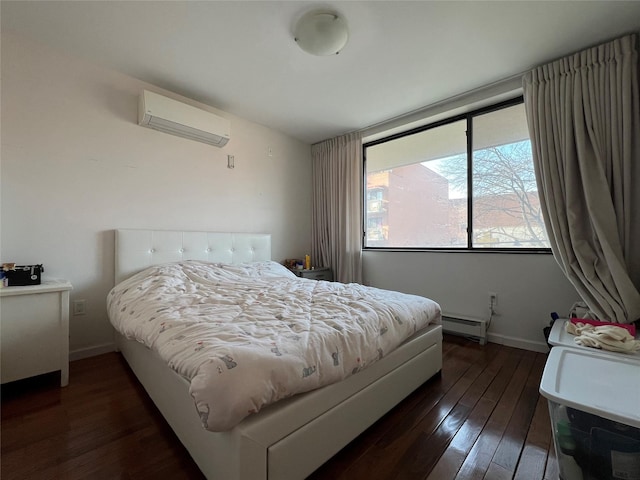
(605, 337)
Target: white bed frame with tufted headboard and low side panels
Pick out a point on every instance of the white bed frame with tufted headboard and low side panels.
(292, 438)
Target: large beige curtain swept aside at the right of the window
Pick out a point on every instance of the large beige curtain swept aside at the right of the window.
(584, 122)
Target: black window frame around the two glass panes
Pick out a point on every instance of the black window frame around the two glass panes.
(468, 117)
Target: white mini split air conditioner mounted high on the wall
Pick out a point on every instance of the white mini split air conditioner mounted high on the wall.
(177, 118)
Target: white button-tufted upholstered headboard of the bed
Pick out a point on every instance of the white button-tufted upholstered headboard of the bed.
(139, 249)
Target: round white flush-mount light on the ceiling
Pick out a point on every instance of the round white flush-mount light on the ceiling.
(321, 32)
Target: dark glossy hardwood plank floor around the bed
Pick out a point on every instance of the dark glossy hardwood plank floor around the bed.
(481, 418)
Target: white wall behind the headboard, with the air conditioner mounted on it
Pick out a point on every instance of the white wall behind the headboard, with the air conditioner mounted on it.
(75, 166)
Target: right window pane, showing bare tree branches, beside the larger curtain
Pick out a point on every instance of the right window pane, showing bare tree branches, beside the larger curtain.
(506, 207)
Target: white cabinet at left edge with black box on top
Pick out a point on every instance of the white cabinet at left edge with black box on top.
(34, 330)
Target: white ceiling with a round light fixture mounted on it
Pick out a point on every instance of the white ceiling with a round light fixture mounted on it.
(240, 56)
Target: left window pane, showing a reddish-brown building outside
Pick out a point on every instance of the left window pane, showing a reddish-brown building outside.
(416, 190)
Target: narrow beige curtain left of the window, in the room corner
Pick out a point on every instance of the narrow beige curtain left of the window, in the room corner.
(336, 229)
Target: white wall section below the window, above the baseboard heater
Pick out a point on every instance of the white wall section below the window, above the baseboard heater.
(529, 288)
